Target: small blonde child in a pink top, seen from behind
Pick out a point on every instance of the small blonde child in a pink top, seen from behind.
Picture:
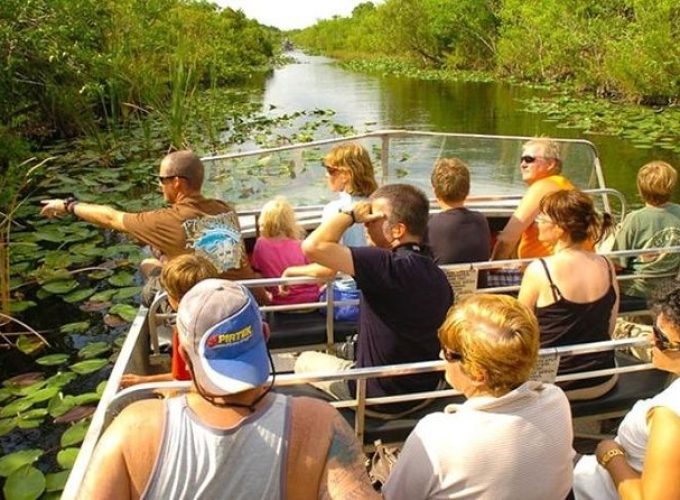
(278, 247)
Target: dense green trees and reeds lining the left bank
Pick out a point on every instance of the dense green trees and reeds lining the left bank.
(72, 67)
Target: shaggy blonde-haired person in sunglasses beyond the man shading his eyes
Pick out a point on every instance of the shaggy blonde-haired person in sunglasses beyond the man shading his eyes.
(349, 172)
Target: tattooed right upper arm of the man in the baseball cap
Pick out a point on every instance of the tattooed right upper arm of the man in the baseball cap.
(345, 473)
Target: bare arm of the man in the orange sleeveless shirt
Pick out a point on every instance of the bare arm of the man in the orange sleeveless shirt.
(522, 218)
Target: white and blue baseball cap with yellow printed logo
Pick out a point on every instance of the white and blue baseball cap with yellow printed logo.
(220, 328)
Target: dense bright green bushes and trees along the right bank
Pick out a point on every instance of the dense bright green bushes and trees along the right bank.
(623, 48)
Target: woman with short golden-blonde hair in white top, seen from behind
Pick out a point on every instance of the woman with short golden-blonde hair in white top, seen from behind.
(512, 437)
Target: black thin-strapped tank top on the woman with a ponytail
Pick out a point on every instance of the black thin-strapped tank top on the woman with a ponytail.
(566, 323)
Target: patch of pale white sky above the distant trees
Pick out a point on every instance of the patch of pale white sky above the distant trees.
(291, 14)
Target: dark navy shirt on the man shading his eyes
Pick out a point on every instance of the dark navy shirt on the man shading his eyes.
(405, 298)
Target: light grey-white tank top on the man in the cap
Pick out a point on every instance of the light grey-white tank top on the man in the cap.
(247, 461)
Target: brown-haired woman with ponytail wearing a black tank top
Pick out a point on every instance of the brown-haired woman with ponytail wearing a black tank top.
(574, 292)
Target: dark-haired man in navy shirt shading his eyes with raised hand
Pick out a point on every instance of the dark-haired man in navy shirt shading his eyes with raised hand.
(405, 296)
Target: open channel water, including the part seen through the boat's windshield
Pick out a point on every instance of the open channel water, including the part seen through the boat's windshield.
(373, 102)
